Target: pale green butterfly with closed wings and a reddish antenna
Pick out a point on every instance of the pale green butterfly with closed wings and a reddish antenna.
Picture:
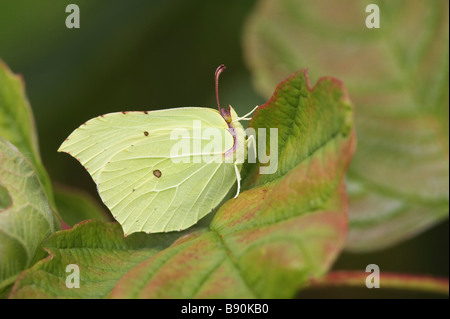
(145, 184)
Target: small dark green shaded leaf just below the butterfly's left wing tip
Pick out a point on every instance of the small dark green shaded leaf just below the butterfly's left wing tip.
(75, 206)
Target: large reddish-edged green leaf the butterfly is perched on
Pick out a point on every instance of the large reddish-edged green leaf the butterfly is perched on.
(284, 229)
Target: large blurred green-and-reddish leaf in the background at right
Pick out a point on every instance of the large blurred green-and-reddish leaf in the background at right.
(399, 179)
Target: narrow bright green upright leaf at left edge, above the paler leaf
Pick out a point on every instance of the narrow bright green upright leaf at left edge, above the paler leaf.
(17, 123)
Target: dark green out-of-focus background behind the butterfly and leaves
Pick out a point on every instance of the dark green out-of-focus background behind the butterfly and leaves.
(144, 55)
